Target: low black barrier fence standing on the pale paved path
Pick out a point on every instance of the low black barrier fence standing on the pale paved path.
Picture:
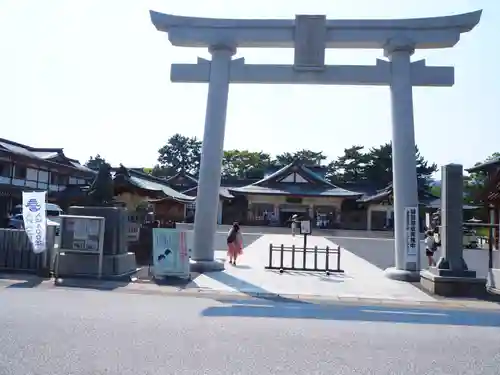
(297, 259)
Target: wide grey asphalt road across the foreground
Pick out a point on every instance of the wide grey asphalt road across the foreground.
(61, 332)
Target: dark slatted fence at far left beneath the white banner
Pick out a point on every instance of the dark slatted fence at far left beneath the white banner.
(16, 253)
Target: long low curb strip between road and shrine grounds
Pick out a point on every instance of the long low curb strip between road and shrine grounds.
(170, 290)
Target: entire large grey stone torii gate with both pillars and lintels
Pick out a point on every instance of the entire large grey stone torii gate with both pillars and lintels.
(309, 36)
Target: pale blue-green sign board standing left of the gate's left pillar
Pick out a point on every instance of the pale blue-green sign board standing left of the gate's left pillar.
(170, 253)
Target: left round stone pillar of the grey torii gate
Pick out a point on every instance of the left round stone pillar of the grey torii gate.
(207, 200)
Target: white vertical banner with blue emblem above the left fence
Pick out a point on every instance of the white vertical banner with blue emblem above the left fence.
(35, 219)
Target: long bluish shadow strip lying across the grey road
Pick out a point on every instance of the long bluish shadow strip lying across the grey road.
(261, 309)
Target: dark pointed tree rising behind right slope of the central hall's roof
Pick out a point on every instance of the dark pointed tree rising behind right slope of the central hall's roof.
(349, 167)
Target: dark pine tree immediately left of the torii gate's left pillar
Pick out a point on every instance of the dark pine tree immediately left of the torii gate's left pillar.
(180, 154)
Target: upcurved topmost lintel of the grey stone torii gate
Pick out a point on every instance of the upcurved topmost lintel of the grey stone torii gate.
(432, 32)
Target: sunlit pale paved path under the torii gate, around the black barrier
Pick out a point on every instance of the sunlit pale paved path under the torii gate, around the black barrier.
(361, 278)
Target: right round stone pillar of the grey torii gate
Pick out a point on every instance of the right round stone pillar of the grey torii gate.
(407, 264)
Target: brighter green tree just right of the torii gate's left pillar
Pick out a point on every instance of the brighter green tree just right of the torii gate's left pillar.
(244, 164)
